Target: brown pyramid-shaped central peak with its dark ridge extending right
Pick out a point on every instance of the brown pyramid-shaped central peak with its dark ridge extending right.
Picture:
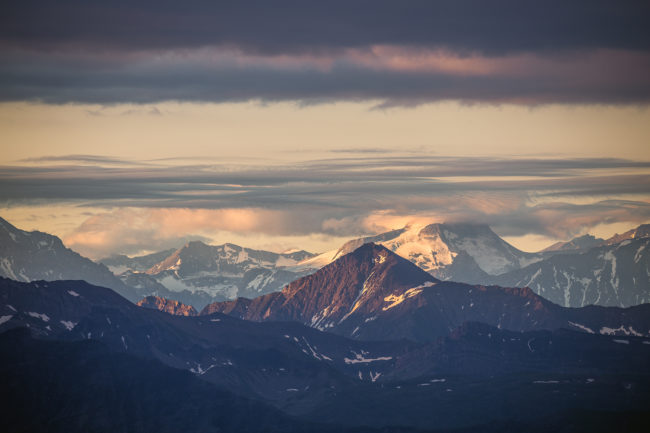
(372, 293)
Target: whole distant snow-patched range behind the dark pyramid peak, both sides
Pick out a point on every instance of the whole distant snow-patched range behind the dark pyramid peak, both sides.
(584, 271)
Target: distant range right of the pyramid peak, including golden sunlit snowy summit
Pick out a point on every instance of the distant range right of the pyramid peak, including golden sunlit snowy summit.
(583, 271)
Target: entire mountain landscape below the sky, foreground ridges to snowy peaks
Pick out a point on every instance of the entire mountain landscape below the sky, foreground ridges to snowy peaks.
(396, 332)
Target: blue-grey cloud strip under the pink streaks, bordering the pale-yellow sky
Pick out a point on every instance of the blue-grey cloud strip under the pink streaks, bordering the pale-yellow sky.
(57, 81)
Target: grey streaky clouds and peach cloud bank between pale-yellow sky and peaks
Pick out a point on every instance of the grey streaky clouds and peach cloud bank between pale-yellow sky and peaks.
(150, 205)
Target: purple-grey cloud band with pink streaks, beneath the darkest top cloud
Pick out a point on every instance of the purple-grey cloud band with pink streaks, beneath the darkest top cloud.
(396, 74)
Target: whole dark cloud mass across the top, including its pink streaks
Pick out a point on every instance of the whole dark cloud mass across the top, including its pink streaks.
(525, 52)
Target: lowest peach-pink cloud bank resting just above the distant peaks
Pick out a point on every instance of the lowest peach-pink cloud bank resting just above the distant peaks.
(133, 230)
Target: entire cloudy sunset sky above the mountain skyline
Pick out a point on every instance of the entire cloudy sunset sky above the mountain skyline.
(134, 126)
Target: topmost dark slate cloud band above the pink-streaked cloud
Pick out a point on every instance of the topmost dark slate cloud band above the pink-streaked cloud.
(492, 27)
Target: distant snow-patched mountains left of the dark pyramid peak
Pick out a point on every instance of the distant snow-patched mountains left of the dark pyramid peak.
(195, 274)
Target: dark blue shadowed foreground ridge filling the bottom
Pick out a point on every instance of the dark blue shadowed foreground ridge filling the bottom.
(512, 378)
